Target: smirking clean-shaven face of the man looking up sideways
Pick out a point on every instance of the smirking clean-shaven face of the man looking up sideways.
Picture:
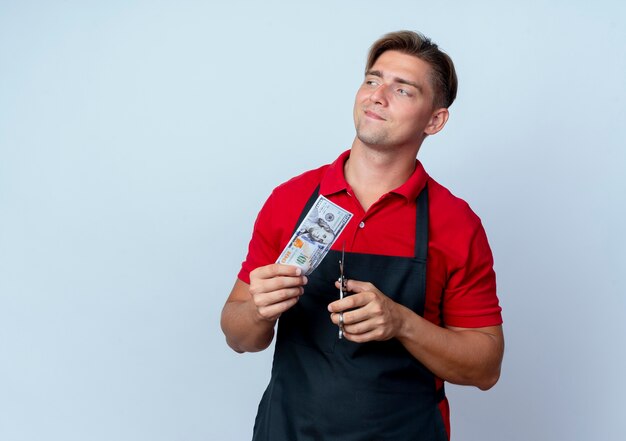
(394, 105)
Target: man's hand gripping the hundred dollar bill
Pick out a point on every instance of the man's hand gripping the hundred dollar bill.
(275, 288)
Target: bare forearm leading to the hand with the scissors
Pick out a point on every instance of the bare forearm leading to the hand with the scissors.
(457, 355)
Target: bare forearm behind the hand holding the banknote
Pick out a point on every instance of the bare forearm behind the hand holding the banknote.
(245, 331)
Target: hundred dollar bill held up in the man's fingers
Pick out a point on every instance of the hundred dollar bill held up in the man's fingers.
(315, 235)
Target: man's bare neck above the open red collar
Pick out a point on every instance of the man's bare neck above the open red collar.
(373, 172)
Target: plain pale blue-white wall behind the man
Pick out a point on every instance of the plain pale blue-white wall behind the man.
(139, 139)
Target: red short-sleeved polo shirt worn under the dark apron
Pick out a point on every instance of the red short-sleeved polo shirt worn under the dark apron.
(460, 281)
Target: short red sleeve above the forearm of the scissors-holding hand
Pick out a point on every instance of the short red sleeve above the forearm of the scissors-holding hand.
(470, 299)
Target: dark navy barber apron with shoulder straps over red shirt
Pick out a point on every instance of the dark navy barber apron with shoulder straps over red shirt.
(323, 388)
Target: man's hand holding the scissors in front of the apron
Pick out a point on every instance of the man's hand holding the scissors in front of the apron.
(368, 314)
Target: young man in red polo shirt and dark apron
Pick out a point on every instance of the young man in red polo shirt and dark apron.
(423, 306)
